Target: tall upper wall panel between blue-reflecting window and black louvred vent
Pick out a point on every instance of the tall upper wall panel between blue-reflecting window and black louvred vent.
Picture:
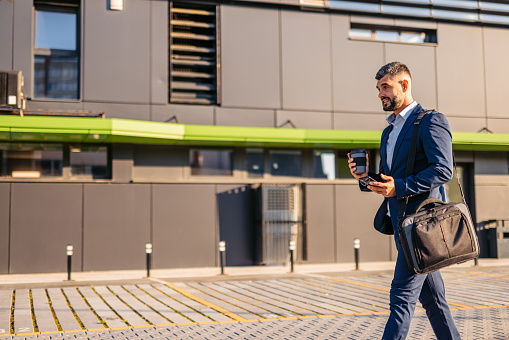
(116, 52)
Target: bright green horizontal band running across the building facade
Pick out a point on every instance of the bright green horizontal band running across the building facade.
(113, 130)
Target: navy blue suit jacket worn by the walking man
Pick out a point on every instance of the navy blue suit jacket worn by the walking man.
(432, 168)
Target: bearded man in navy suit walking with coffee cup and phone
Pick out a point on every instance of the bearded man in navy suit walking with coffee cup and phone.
(433, 168)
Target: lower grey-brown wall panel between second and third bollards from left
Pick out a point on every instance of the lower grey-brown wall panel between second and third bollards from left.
(184, 225)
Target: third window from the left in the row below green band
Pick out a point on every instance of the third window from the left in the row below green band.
(211, 162)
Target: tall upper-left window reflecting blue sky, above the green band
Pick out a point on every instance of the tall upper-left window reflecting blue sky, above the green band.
(56, 50)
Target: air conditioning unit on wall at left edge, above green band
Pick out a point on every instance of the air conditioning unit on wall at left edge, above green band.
(11, 90)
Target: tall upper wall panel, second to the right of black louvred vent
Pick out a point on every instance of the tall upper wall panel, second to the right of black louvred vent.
(306, 60)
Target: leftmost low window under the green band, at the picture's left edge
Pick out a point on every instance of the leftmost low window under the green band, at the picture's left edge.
(31, 160)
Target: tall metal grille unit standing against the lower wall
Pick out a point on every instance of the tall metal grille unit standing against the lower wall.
(280, 222)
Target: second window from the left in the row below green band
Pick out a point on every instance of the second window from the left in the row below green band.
(89, 162)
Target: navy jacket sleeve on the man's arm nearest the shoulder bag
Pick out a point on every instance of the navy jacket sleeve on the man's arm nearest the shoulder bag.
(436, 138)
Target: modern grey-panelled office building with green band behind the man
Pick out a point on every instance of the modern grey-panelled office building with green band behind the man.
(183, 123)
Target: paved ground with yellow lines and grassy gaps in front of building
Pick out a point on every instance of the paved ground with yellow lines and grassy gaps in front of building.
(335, 305)
